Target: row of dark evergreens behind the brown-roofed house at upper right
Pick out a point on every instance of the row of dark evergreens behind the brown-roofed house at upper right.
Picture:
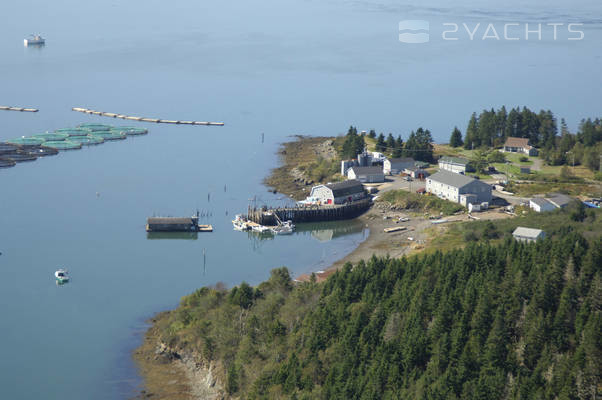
(491, 128)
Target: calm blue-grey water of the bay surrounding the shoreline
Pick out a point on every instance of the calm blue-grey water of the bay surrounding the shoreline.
(276, 67)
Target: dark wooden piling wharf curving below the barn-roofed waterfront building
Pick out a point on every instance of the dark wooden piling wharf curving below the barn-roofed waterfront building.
(267, 216)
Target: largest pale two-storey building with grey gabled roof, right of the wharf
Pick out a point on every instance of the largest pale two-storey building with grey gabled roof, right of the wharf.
(458, 188)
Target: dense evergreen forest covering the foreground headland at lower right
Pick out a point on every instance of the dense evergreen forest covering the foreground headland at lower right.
(512, 321)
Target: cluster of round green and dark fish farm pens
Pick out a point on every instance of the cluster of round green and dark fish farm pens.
(32, 147)
